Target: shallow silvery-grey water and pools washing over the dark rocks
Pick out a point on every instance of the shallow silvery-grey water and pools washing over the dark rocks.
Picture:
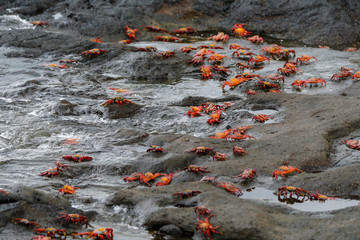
(32, 138)
